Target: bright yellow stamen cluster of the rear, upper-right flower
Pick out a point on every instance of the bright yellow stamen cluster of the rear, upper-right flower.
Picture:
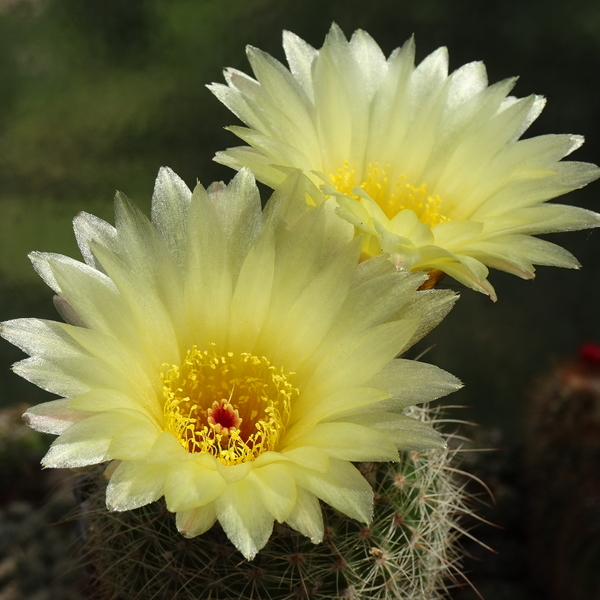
(391, 198)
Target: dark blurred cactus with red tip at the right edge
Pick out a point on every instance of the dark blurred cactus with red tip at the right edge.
(562, 457)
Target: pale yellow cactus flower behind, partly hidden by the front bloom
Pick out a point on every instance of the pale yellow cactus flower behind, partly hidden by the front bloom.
(428, 166)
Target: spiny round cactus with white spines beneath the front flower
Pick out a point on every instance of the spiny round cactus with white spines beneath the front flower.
(408, 551)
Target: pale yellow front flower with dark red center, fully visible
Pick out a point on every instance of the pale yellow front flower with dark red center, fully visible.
(232, 360)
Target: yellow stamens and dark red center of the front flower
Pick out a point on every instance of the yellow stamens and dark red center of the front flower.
(233, 406)
